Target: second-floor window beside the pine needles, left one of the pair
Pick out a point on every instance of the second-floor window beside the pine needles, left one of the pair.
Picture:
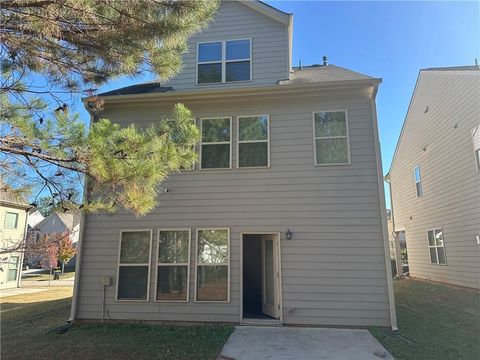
(216, 143)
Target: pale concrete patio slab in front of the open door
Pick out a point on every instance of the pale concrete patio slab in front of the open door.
(295, 343)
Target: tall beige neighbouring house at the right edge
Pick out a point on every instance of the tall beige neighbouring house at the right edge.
(435, 178)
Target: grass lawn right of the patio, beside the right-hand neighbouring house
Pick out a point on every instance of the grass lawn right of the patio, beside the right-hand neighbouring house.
(435, 321)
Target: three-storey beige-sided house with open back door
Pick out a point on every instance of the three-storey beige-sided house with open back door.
(282, 220)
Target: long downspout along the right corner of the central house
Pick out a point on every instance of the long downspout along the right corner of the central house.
(383, 210)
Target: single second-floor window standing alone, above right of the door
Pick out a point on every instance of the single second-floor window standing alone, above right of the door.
(331, 138)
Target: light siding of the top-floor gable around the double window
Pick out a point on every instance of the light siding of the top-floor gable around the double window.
(269, 58)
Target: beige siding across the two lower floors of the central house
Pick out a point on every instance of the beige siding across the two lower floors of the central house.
(333, 268)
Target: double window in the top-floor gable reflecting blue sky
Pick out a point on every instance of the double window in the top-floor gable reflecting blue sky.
(224, 61)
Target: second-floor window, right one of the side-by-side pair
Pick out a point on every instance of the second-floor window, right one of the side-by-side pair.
(253, 141)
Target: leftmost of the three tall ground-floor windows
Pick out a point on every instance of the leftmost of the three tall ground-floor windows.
(134, 265)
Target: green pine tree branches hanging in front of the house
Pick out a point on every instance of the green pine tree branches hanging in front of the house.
(77, 45)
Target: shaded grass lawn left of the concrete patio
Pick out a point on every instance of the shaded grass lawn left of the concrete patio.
(26, 321)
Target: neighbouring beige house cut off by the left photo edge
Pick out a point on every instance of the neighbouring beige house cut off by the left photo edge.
(13, 223)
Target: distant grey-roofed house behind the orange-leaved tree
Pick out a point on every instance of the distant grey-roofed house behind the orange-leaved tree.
(58, 222)
